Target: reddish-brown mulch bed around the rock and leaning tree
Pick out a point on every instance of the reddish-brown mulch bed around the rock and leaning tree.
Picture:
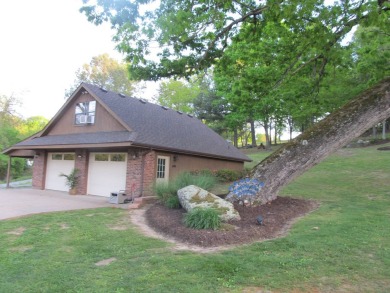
(278, 216)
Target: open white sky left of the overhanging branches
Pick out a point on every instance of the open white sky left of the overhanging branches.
(43, 43)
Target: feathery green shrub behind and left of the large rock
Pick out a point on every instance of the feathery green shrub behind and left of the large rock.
(167, 193)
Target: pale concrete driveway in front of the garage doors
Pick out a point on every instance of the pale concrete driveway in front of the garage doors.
(25, 201)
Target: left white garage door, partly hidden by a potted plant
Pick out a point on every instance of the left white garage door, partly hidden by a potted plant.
(58, 163)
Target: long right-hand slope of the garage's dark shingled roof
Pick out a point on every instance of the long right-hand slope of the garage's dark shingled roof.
(163, 128)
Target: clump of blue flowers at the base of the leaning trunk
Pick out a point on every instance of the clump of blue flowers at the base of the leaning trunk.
(244, 191)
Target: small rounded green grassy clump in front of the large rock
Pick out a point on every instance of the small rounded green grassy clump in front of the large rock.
(202, 218)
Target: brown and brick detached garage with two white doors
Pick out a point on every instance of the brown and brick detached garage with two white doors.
(121, 143)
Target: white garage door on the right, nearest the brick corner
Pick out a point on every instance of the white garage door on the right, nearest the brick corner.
(106, 173)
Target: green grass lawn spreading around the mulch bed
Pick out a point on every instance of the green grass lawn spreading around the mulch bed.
(344, 246)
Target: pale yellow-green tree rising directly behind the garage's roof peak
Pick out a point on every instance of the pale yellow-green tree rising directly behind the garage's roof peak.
(105, 72)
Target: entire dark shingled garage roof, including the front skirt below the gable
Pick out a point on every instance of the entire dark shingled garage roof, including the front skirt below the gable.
(149, 125)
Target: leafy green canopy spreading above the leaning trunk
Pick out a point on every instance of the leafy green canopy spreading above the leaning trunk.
(272, 61)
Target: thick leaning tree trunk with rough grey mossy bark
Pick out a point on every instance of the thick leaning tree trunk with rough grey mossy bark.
(324, 138)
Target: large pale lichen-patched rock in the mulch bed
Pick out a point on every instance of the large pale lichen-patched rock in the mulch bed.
(192, 196)
